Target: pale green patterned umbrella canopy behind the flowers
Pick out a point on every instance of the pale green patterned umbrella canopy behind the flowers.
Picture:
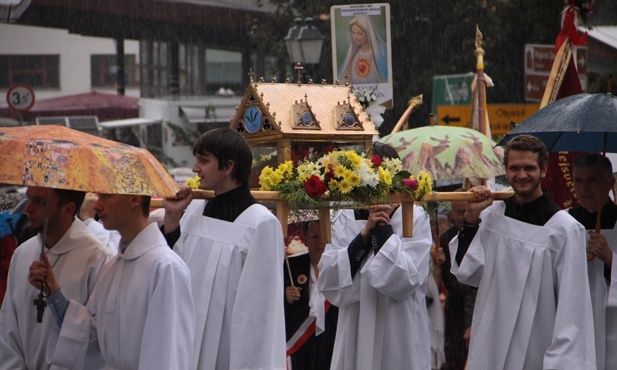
(448, 152)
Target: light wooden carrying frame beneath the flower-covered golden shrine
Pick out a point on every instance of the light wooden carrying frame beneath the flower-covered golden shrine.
(324, 213)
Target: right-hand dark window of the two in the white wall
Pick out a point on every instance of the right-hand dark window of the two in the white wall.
(103, 69)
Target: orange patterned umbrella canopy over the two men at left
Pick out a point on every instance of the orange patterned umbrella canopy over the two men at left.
(62, 158)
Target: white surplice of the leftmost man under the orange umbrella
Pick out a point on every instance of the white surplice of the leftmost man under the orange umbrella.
(77, 258)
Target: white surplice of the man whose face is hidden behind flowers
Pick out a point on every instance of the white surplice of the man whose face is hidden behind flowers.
(383, 321)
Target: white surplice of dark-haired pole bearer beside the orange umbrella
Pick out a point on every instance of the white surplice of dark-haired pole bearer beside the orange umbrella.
(237, 277)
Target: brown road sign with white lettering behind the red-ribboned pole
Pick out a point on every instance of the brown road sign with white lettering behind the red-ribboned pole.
(538, 64)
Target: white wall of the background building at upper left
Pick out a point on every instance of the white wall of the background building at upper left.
(74, 51)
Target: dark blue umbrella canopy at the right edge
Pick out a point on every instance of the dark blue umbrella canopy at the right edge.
(577, 123)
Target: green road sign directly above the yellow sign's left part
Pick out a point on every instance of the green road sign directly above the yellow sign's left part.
(452, 90)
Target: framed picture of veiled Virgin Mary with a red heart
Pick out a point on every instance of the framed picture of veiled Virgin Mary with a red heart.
(361, 50)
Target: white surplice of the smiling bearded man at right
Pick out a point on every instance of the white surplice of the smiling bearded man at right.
(533, 308)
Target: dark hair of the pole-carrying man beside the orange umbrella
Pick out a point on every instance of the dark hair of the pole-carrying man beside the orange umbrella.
(227, 145)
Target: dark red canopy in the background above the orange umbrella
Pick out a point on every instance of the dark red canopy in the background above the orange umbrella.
(104, 106)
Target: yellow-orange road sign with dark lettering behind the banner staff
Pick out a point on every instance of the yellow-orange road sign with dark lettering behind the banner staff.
(499, 115)
